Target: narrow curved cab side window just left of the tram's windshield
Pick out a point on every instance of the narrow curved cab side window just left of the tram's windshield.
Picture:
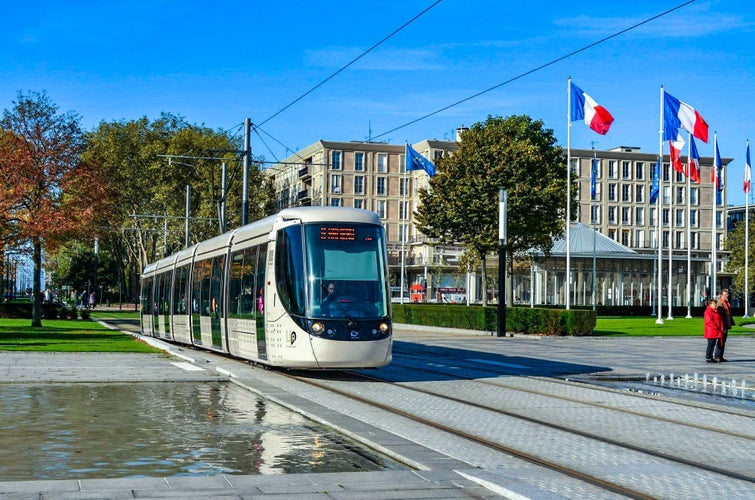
(289, 269)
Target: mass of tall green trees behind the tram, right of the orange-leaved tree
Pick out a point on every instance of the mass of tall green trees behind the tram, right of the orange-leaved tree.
(152, 186)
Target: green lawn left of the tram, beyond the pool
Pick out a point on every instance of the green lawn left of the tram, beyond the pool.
(67, 336)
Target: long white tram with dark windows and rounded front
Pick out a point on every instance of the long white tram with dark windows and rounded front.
(261, 292)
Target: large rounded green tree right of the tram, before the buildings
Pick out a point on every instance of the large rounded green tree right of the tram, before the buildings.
(514, 153)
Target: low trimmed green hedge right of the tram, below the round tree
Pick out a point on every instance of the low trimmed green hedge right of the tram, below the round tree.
(542, 321)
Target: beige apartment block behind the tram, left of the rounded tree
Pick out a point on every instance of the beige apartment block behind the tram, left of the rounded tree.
(372, 176)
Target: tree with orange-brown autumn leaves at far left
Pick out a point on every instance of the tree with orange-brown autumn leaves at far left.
(48, 194)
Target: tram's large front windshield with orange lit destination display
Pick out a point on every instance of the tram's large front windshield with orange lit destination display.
(346, 271)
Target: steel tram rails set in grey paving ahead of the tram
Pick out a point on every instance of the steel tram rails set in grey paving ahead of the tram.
(543, 460)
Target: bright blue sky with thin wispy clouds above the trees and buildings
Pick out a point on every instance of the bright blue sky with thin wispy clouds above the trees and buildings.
(217, 63)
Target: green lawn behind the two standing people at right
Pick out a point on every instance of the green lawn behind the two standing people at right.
(645, 326)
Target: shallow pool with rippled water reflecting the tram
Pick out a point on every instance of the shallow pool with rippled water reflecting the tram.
(162, 429)
